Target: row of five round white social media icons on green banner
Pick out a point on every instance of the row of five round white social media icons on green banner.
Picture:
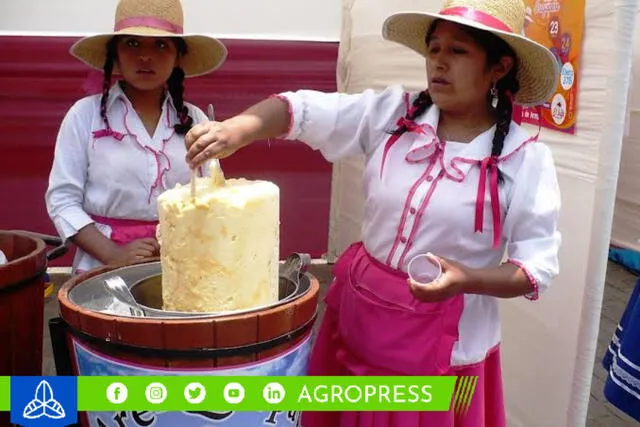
(195, 393)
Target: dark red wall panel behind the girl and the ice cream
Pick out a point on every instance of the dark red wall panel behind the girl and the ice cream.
(40, 80)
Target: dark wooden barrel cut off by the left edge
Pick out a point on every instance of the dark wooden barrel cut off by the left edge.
(22, 302)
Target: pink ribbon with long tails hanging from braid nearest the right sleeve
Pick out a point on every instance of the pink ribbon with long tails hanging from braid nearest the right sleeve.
(489, 165)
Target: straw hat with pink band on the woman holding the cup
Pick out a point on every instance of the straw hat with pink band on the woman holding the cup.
(538, 69)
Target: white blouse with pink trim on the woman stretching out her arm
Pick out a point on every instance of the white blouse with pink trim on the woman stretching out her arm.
(426, 198)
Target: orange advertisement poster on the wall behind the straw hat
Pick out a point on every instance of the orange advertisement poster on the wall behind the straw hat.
(558, 25)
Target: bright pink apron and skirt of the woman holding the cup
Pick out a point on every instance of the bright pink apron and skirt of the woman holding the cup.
(374, 326)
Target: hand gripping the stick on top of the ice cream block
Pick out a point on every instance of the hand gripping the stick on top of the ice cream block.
(212, 140)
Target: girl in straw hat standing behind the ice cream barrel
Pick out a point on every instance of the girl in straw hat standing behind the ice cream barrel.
(117, 151)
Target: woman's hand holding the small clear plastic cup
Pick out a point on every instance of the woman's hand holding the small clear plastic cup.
(451, 282)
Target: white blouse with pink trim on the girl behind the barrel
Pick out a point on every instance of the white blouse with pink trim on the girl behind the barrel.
(117, 175)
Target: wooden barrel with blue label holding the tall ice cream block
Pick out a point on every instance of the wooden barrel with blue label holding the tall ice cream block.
(274, 340)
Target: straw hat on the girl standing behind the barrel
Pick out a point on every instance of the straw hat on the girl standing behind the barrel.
(154, 18)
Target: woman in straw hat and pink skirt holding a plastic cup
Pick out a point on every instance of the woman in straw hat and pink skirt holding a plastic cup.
(447, 173)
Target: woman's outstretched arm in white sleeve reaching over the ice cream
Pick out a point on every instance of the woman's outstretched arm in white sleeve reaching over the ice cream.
(336, 124)
